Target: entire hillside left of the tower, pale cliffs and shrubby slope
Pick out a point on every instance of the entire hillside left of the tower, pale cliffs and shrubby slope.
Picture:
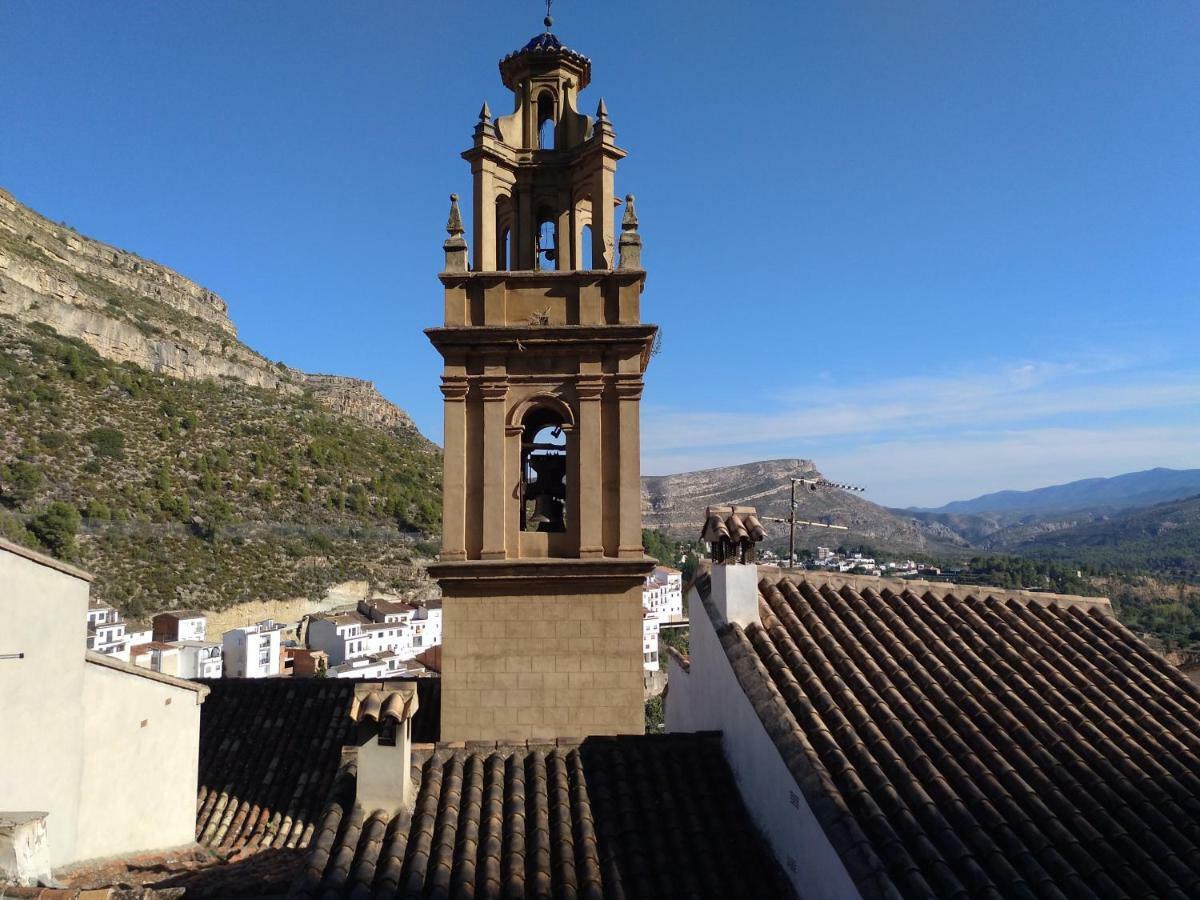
(141, 440)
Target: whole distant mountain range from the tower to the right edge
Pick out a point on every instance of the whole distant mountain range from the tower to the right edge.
(1143, 520)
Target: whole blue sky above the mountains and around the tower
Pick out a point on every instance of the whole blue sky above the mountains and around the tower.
(939, 248)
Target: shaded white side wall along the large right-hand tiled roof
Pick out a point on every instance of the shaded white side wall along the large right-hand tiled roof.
(709, 698)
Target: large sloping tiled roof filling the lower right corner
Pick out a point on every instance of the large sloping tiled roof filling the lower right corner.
(957, 742)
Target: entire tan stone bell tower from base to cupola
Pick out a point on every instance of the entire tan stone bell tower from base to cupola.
(542, 565)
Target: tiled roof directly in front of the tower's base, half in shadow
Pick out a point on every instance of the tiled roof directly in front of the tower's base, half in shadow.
(604, 818)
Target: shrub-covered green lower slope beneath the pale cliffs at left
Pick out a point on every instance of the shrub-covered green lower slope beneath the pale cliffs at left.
(201, 493)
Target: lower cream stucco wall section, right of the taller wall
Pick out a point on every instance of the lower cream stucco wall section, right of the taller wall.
(140, 764)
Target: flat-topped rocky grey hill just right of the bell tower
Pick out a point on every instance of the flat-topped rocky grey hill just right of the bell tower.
(676, 505)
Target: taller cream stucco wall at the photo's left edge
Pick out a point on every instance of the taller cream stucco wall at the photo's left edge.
(44, 614)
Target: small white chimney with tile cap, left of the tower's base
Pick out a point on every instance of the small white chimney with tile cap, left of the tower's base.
(385, 715)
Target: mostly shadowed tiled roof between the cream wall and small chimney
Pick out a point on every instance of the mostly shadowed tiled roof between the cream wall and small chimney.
(271, 749)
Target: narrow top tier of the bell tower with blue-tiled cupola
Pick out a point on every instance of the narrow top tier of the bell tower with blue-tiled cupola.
(544, 175)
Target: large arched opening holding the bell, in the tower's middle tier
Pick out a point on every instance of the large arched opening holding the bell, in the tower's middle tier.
(543, 472)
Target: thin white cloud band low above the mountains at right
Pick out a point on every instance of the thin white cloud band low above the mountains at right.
(925, 441)
